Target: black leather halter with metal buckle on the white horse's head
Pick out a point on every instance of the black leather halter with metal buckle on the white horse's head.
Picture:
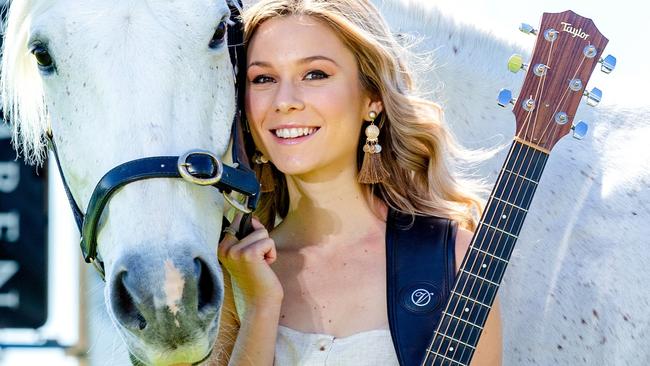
(195, 166)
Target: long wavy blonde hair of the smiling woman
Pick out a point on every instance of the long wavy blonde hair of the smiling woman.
(417, 147)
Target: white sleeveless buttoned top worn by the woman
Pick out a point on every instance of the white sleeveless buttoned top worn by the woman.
(370, 348)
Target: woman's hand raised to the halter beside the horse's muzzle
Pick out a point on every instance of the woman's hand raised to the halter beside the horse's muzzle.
(248, 262)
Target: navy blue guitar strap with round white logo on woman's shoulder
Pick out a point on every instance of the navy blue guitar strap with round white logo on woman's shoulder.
(420, 271)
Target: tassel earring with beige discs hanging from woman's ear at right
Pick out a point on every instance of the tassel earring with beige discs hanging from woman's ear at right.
(372, 170)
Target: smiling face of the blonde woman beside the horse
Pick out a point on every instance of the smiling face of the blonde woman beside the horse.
(304, 100)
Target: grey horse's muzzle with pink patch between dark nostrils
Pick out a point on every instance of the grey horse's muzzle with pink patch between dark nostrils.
(170, 302)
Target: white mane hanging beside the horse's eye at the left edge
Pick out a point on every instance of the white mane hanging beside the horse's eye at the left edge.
(21, 84)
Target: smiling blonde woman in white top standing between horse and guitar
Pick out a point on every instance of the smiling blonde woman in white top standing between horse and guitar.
(309, 286)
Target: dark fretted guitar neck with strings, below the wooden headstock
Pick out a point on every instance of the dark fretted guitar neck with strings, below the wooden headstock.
(482, 270)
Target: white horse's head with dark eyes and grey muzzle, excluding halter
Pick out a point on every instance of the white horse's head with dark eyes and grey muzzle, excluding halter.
(118, 82)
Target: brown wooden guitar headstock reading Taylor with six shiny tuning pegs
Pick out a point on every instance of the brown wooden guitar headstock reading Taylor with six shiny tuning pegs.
(567, 50)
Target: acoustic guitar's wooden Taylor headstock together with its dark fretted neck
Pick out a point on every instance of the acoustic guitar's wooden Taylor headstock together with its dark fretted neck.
(567, 50)
